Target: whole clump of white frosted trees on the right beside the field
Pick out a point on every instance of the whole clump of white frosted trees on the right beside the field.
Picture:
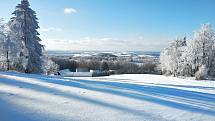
(191, 57)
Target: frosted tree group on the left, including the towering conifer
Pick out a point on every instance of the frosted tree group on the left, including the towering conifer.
(20, 46)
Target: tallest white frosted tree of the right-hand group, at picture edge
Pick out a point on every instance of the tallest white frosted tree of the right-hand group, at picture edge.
(202, 47)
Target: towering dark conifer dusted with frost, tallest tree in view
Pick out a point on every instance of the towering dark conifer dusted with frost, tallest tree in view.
(23, 29)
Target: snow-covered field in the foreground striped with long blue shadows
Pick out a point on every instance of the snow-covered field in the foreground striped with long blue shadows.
(115, 98)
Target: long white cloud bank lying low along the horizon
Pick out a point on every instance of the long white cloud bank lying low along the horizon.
(105, 44)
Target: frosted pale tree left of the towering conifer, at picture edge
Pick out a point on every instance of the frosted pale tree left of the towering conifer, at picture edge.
(10, 50)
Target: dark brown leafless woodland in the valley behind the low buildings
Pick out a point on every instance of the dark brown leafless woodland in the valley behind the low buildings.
(119, 67)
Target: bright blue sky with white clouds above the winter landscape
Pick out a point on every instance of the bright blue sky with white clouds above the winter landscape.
(115, 25)
